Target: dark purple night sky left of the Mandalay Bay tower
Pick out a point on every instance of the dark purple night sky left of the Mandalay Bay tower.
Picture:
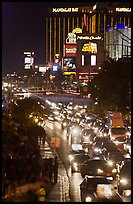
(23, 29)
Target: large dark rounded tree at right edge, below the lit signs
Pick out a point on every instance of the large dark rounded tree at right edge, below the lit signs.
(112, 86)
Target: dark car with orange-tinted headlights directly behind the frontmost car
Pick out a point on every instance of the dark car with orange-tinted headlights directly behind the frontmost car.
(101, 167)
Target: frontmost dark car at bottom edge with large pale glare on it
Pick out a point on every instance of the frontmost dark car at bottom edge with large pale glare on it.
(98, 189)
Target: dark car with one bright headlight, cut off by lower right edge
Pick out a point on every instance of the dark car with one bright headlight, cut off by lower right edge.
(124, 179)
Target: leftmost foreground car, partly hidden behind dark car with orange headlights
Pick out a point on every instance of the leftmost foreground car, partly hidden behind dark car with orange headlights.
(78, 159)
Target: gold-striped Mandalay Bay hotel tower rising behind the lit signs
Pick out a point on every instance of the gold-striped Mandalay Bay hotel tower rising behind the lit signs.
(95, 17)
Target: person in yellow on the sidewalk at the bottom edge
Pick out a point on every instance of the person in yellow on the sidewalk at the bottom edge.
(41, 194)
